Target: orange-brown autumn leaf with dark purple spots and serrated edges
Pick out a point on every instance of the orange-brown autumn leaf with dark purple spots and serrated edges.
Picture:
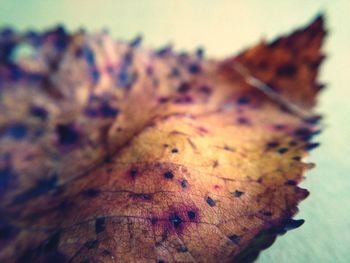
(150, 156)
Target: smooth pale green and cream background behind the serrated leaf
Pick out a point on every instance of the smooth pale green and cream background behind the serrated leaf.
(223, 28)
